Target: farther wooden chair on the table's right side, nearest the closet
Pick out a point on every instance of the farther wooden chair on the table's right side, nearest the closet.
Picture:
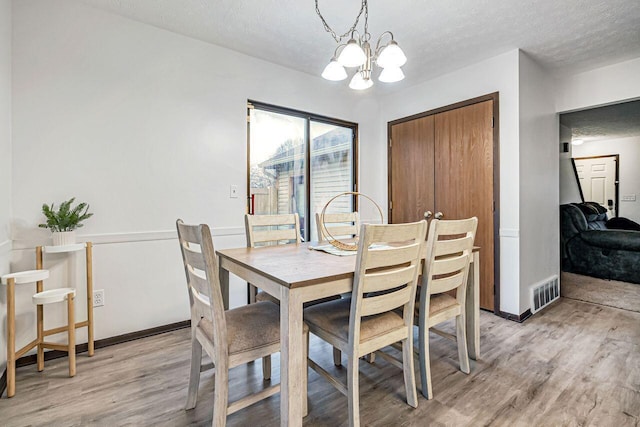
(446, 268)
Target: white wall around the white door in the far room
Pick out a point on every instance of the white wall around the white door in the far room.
(629, 151)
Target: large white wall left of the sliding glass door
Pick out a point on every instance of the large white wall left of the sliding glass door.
(147, 126)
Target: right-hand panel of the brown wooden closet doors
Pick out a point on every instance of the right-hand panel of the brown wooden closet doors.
(464, 179)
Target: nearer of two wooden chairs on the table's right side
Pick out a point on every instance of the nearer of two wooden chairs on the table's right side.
(385, 279)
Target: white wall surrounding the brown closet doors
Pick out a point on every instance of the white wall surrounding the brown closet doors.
(498, 74)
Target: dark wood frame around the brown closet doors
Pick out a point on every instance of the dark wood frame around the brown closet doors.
(496, 176)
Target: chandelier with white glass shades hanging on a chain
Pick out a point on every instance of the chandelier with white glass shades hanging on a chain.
(357, 52)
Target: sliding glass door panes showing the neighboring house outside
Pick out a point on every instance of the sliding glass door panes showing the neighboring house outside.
(298, 162)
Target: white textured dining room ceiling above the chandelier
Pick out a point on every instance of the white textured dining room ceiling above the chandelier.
(564, 36)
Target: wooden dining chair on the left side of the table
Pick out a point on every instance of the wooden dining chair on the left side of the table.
(231, 337)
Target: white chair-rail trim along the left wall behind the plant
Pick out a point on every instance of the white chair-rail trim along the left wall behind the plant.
(135, 236)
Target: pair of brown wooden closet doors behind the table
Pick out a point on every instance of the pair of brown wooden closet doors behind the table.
(444, 162)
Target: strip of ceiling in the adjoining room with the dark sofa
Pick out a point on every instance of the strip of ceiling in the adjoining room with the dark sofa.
(613, 121)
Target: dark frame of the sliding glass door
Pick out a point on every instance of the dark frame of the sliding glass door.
(309, 117)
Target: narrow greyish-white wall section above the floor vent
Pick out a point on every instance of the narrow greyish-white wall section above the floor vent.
(539, 212)
